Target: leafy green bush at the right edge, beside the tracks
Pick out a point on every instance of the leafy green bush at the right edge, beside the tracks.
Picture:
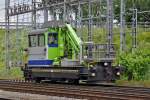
(137, 61)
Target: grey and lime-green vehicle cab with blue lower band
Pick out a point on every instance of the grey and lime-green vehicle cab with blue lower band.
(43, 48)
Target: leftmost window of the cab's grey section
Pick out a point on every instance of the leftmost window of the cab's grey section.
(33, 40)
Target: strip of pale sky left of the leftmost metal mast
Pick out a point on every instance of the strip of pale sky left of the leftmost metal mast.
(2, 10)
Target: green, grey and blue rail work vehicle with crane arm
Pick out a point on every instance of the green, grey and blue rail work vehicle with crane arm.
(57, 53)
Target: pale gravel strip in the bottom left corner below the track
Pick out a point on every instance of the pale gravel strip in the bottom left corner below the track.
(27, 96)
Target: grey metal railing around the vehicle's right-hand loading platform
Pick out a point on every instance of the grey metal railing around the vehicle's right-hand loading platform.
(98, 52)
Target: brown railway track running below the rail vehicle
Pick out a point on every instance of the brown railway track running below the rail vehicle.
(78, 91)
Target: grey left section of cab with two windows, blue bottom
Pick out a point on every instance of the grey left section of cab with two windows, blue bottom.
(36, 50)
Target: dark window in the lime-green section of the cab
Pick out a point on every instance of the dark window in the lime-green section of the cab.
(52, 38)
